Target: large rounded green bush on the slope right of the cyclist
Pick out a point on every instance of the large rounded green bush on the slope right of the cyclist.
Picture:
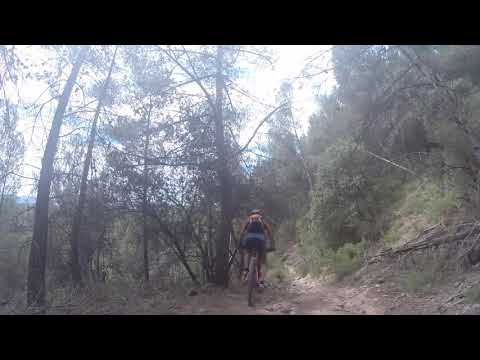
(348, 204)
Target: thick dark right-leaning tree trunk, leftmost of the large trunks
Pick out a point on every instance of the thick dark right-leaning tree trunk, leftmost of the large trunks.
(38, 250)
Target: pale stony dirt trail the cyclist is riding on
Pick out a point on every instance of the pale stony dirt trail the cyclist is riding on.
(299, 296)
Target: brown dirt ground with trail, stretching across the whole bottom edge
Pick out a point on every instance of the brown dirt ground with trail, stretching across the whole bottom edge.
(371, 291)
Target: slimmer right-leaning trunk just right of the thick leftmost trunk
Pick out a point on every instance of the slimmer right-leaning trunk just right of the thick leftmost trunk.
(78, 218)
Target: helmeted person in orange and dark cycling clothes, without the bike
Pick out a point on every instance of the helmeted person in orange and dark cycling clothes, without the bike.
(254, 237)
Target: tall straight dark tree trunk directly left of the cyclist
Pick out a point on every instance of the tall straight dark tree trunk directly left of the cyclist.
(221, 253)
